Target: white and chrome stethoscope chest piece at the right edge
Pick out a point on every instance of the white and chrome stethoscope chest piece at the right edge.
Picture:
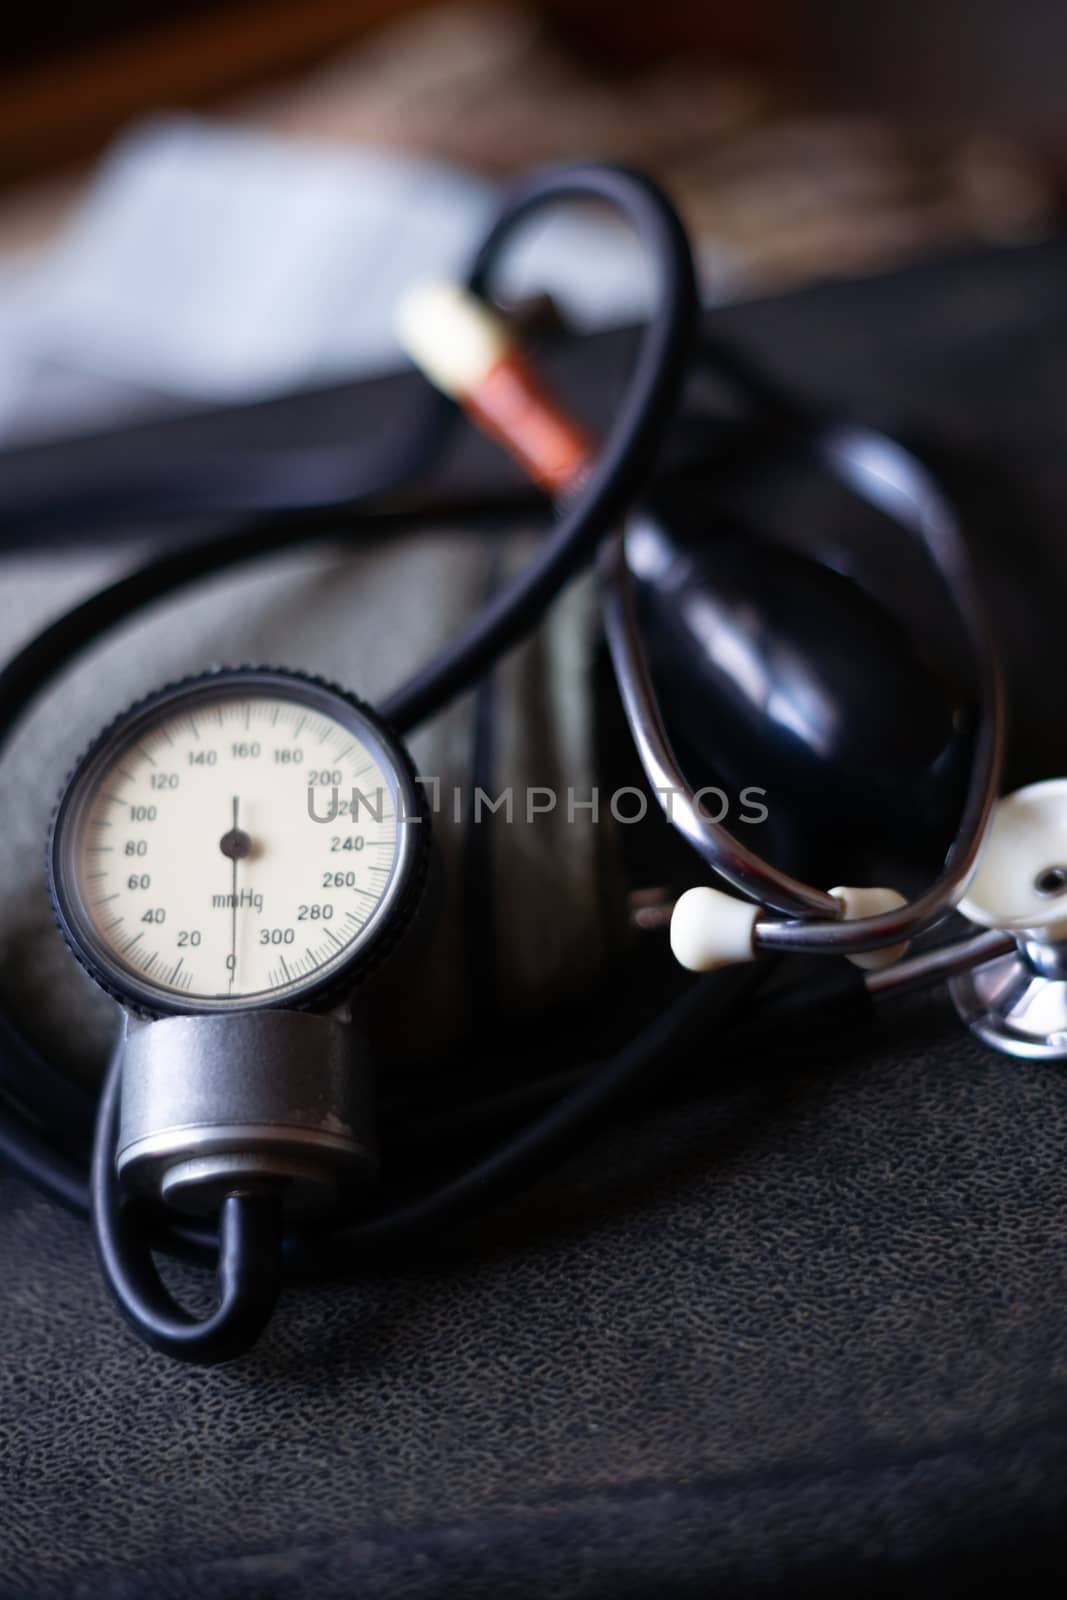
(1018, 1002)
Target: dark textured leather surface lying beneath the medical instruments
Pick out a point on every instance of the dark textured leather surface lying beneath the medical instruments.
(802, 1332)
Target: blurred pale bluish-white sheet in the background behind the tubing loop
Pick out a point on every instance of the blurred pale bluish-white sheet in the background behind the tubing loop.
(212, 265)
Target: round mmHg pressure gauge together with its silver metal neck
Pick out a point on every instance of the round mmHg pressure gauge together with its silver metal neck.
(230, 862)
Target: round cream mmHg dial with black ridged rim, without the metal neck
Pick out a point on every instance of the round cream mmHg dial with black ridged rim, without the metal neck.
(239, 841)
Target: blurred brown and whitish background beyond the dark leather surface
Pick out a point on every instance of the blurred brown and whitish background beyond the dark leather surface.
(207, 204)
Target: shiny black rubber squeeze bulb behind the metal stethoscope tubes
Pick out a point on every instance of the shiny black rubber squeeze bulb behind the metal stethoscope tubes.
(778, 673)
